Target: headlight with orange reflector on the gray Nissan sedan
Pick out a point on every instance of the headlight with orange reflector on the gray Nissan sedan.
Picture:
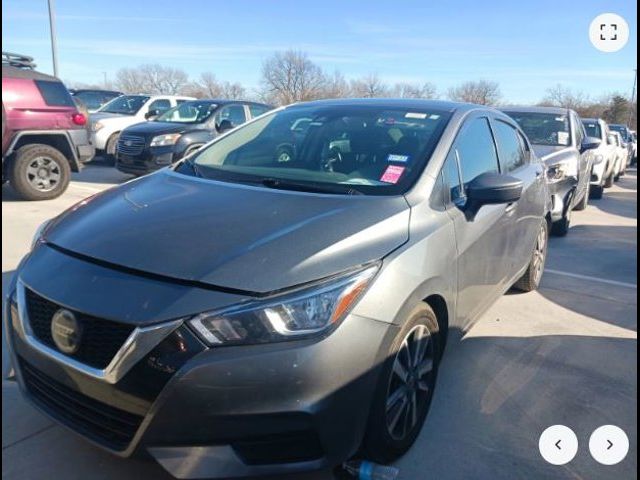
(304, 313)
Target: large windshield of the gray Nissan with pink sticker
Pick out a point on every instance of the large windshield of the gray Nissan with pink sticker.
(338, 149)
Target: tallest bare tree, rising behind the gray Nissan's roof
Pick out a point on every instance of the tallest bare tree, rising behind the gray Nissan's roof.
(291, 76)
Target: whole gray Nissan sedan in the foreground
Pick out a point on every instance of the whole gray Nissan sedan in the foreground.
(280, 300)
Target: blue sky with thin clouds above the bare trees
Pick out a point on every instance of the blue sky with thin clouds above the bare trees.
(527, 46)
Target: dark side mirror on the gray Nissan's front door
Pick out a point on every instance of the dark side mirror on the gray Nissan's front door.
(491, 189)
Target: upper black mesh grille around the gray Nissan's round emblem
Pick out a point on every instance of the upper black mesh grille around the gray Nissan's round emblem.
(100, 340)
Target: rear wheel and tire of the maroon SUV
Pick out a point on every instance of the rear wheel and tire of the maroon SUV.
(55, 164)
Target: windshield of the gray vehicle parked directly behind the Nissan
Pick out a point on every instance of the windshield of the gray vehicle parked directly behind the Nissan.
(544, 128)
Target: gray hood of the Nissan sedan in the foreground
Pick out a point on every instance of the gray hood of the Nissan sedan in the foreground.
(229, 235)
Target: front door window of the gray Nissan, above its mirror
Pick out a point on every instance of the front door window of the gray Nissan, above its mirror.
(476, 150)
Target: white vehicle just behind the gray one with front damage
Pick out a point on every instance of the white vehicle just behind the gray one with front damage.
(605, 156)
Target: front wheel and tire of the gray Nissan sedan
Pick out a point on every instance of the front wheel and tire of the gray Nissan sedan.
(380, 444)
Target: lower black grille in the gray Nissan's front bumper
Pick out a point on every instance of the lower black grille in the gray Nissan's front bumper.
(102, 423)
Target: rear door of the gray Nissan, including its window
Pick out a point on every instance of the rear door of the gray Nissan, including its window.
(516, 159)
